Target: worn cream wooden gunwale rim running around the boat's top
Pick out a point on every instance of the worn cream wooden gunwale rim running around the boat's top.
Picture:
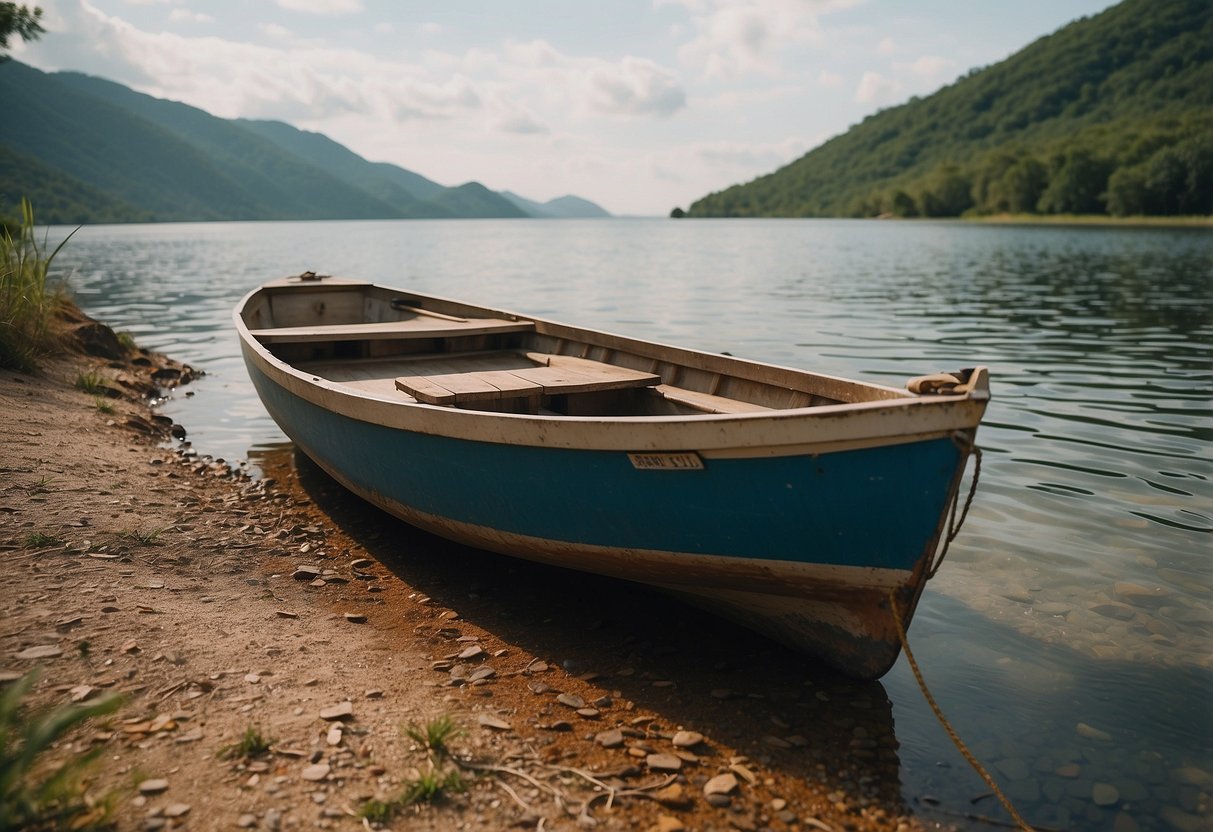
(848, 424)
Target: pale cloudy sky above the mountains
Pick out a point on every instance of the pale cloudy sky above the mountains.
(640, 106)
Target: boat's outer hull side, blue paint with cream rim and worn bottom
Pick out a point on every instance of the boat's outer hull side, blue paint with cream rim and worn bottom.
(799, 523)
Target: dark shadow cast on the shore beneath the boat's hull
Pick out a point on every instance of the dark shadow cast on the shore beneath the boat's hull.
(693, 670)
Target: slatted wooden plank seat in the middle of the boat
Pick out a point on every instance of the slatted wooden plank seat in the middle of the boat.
(553, 375)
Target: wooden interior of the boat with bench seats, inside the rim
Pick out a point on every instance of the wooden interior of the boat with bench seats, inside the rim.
(419, 349)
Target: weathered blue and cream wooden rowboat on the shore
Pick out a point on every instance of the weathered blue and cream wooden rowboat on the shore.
(805, 506)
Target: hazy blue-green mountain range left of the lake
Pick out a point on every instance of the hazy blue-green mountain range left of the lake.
(86, 150)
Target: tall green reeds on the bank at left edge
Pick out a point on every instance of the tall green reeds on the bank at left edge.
(30, 298)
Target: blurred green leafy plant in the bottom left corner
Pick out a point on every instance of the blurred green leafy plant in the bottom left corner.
(37, 796)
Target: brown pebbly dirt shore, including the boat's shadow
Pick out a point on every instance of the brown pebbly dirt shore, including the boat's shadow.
(215, 605)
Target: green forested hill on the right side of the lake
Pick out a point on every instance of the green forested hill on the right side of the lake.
(1112, 115)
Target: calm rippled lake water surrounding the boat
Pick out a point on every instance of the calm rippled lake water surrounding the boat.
(1079, 592)
